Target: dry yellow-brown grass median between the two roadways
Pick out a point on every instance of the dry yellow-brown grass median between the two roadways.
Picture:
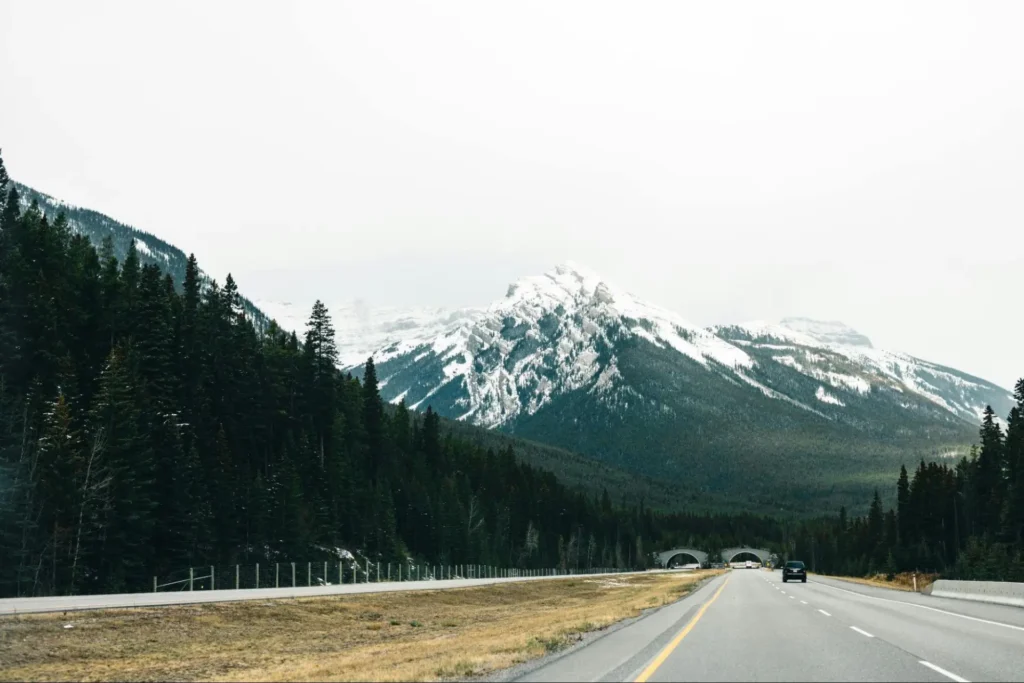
(425, 635)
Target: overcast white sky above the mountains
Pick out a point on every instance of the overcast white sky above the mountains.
(862, 162)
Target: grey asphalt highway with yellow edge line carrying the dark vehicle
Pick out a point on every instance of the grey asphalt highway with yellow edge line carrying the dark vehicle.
(748, 625)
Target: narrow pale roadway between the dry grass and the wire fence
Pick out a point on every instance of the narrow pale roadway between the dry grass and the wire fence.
(79, 603)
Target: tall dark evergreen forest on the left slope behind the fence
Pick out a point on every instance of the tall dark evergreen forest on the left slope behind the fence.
(148, 425)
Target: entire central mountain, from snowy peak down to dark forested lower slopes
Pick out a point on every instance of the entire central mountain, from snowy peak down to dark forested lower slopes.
(571, 360)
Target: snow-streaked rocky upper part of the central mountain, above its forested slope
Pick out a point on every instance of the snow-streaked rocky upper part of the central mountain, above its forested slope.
(558, 333)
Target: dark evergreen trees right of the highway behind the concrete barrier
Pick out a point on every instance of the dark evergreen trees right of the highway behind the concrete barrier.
(964, 521)
